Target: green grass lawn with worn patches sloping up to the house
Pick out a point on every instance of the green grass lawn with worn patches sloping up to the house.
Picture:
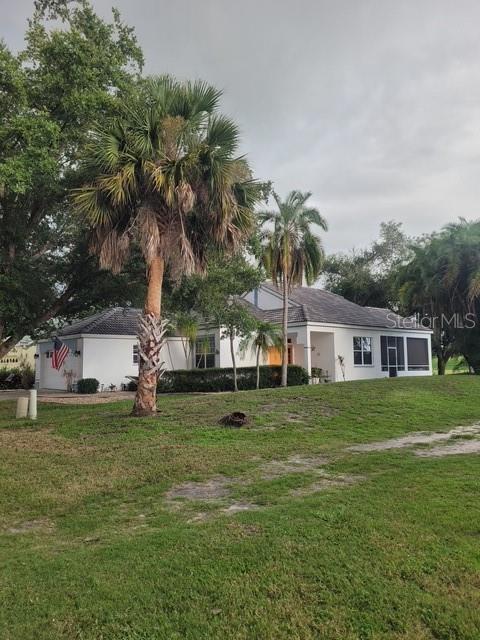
(92, 547)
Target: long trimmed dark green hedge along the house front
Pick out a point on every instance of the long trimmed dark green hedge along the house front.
(203, 380)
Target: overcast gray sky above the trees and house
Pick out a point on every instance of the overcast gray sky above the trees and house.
(374, 106)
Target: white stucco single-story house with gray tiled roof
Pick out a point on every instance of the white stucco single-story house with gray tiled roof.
(337, 338)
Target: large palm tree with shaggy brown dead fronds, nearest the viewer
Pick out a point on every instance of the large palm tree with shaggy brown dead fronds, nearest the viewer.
(165, 174)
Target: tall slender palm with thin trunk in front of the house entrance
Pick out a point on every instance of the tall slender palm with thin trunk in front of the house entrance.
(291, 251)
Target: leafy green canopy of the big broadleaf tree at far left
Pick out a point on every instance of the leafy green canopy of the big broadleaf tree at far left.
(69, 76)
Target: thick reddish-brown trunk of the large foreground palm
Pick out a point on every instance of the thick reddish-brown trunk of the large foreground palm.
(146, 396)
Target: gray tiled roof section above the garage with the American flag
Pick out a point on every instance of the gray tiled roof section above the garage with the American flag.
(117, 321)
